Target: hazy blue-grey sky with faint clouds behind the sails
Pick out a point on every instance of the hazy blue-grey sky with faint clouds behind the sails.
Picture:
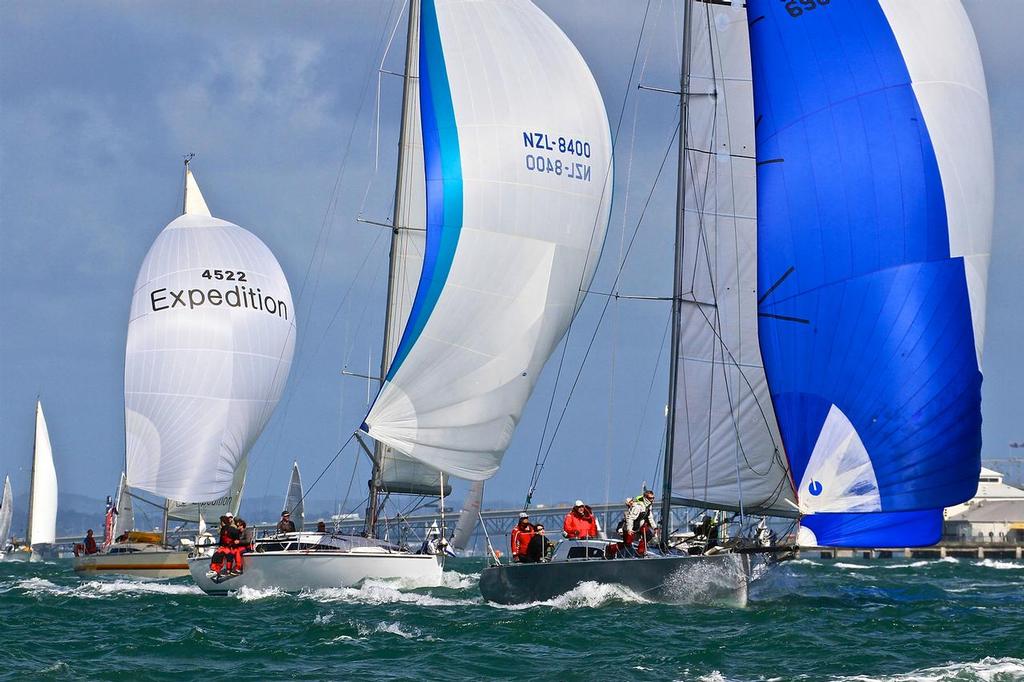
(295, 132)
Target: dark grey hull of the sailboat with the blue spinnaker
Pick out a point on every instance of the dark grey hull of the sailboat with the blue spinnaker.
(717, 579)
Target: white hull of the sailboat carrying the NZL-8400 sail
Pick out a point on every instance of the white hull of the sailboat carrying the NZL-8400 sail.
(298, 571)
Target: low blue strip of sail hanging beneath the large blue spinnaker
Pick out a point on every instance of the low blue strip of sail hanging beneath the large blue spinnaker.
(914, 529)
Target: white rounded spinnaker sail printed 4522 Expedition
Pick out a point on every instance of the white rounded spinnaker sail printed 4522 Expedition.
(210, 344)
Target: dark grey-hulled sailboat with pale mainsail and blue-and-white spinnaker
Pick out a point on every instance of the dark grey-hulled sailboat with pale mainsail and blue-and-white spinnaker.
(842, 386)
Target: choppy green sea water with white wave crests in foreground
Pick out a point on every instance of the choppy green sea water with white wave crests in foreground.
(807, 620)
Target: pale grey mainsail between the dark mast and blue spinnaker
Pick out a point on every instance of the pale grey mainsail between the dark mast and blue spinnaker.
(729, 450)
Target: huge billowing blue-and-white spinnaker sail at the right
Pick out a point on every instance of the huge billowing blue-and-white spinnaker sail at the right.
(875, 210)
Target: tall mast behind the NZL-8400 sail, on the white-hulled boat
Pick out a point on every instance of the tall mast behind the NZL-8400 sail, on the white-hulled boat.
(412, 55)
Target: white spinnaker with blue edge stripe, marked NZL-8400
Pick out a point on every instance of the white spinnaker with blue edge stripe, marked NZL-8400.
(519, 178)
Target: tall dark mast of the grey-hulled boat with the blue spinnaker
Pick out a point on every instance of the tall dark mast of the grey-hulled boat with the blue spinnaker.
(677, 281)
